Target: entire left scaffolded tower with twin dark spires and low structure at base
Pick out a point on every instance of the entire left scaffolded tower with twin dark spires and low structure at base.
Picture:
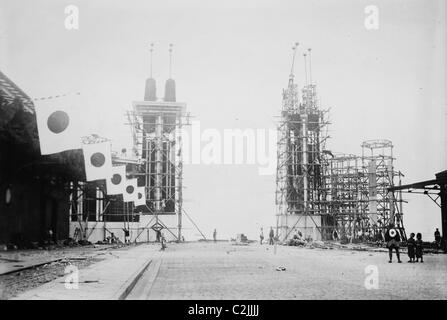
(157, 126)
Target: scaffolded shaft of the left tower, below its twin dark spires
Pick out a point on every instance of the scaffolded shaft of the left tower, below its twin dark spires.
(156, 128)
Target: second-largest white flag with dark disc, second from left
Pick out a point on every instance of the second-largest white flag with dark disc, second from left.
(98, 160)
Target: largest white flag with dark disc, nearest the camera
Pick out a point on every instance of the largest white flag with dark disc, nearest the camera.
(58, 123)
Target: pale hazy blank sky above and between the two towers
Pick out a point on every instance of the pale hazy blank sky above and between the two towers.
(231, 62)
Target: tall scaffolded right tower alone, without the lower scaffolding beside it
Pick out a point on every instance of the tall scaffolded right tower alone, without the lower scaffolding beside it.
(302, 135)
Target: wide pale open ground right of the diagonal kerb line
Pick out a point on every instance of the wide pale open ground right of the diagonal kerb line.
(225, 271)
